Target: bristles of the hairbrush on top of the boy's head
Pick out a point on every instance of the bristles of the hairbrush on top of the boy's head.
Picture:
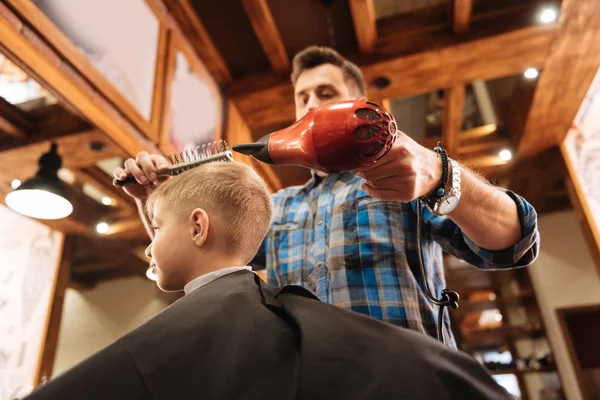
(193, 157)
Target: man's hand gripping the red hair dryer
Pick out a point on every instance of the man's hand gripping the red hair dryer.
(406, 172)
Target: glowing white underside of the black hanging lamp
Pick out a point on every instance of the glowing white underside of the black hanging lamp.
(37, 203)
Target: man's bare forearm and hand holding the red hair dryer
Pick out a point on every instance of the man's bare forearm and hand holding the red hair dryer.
(486, 214)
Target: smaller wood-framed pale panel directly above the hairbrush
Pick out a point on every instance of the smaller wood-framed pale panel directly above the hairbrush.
(193, 102)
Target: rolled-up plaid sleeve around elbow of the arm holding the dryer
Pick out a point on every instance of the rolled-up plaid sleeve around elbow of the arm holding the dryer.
(444, 231)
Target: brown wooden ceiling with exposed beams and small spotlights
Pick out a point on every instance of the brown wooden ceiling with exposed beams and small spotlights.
(421, 47)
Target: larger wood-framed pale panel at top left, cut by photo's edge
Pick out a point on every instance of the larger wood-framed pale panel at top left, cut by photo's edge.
(120, 59)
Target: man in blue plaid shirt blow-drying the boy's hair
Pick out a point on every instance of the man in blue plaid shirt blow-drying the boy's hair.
(351, 238)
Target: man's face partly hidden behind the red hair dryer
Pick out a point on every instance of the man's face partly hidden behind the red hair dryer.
(319, 86)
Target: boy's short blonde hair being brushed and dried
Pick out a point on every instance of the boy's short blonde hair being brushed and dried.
(230, 190)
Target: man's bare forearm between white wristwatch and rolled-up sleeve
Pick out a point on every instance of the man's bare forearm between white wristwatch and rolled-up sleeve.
(486, 214)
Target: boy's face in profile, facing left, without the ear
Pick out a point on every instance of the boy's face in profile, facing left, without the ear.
(171, 250)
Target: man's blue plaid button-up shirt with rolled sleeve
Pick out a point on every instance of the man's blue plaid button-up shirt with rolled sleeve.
(360, 253)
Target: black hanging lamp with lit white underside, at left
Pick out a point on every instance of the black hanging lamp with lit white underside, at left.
(42, 196)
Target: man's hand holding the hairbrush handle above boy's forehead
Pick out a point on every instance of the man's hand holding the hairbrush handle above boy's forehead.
(144, 168)
